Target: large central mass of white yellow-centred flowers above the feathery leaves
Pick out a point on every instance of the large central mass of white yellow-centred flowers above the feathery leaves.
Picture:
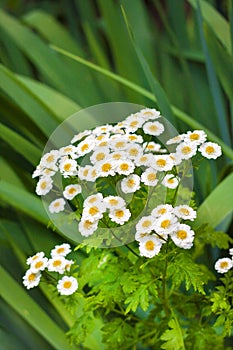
(131, 156)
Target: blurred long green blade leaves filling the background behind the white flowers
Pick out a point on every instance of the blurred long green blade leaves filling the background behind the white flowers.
(174, 55)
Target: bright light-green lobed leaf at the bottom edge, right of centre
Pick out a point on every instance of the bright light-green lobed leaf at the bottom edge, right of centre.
(173, 336)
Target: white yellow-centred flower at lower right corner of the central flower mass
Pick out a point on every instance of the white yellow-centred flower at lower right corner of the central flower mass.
(183, 236)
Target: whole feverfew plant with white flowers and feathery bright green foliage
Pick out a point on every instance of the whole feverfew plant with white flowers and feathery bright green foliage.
(125, 188)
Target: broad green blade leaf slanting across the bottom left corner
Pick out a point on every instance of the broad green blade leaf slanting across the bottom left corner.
(31, 312)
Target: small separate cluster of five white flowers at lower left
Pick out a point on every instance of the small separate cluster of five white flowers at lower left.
(67, 285)
